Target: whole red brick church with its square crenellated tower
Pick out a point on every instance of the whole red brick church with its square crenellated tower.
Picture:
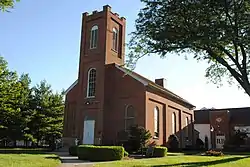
(107, 98)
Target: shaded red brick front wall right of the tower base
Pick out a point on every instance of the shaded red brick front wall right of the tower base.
(121, 91)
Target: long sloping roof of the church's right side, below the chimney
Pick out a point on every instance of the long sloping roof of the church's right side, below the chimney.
(152, 84)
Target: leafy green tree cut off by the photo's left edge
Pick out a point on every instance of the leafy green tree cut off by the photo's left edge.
(10, 111)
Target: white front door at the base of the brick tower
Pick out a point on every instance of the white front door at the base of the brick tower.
(88, 132)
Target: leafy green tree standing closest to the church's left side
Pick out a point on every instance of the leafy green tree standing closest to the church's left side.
(47, 120)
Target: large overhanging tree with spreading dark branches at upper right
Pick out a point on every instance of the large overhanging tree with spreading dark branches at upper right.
(215, 31)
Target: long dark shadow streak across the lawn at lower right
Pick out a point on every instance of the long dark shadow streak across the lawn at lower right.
(207, 163)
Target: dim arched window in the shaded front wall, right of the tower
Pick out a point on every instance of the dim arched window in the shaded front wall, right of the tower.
(129, 117)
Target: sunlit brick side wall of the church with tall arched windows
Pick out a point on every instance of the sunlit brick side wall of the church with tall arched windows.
(169, 107)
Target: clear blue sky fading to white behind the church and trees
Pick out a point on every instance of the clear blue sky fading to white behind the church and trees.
(42, 38)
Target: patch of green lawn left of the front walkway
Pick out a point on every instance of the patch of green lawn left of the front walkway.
(28, 160)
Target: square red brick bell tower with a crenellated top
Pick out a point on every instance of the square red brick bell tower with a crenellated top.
(102, 42)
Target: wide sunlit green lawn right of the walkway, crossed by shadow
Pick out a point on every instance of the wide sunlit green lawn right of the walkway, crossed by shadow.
(183, 161)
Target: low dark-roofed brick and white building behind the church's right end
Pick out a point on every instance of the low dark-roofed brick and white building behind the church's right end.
(220, 124)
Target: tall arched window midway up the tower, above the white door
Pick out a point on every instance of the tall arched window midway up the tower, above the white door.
(91, 82)
